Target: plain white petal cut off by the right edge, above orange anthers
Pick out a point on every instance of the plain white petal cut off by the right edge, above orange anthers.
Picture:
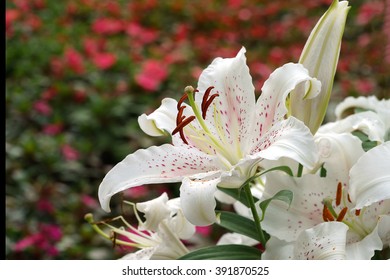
(370, 177)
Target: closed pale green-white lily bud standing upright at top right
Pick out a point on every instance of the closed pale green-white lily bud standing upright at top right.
(320, 56)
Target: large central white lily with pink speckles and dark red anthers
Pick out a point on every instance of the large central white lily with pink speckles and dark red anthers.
(219, 138)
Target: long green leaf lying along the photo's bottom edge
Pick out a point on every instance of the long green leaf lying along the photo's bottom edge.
(224, 252)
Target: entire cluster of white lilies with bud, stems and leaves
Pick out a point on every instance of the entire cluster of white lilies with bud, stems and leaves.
(300, 189)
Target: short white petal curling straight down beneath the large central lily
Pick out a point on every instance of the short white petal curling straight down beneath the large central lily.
(198, 202)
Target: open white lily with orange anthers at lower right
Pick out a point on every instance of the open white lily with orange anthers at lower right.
(341, 216)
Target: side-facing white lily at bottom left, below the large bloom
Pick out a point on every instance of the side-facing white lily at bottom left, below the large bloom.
(158, 236)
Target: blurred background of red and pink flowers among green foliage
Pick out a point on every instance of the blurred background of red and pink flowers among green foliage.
(80, 72)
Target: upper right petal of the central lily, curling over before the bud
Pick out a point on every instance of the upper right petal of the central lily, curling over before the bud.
(271, 105)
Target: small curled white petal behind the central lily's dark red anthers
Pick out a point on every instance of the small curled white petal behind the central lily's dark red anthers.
(162, 120)
